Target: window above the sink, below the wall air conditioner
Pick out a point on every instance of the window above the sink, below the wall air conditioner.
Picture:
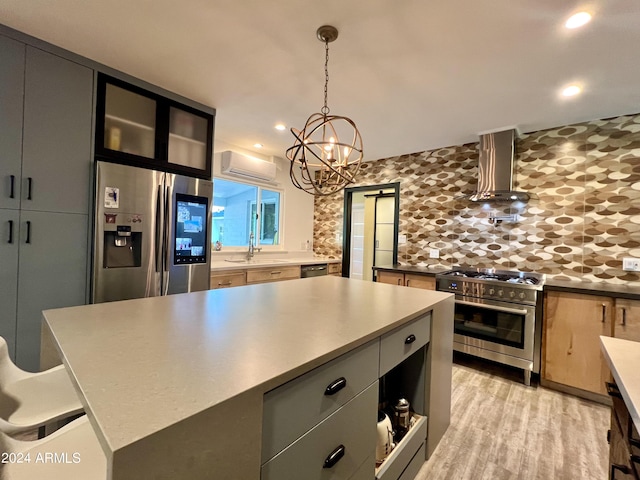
(240, 209)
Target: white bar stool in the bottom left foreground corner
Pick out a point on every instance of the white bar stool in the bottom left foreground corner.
(70, 453)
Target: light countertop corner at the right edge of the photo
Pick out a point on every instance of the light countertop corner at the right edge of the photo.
(623, 357)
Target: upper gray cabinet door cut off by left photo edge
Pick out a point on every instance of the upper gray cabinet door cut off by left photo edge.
(11, 93)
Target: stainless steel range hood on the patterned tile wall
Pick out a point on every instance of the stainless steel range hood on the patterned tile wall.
(496, 168)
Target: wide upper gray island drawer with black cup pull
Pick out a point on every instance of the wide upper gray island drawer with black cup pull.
(295, 407)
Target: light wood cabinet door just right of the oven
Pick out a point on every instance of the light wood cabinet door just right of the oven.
(573, 324)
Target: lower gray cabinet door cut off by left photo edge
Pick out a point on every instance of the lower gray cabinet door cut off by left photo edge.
(8, 276)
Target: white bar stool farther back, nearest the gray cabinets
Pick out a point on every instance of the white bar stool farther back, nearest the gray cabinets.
(32, 400)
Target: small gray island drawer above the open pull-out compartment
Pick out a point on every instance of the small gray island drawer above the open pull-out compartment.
(402, 342)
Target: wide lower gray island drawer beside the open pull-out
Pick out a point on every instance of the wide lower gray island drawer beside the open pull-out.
(350, 430)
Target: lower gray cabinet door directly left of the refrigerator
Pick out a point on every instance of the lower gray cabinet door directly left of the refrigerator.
(52, 274)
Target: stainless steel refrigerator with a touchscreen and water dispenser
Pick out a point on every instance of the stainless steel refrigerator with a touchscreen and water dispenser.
(152, 233)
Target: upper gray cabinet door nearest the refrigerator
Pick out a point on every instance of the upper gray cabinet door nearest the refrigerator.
(56, 155)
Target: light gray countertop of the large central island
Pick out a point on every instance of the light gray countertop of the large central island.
(145, 365)
